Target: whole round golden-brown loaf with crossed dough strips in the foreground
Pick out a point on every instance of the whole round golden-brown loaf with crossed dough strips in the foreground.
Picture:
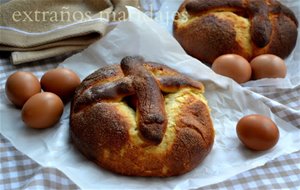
(140, 118)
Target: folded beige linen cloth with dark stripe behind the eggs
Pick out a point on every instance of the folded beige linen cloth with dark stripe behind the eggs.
(37, 29)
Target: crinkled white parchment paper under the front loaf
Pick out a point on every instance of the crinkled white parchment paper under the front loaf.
(228, 102)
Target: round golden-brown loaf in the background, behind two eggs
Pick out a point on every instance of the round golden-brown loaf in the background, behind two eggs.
(208, 29)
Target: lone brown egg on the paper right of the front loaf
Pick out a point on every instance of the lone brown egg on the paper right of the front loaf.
(257, 132)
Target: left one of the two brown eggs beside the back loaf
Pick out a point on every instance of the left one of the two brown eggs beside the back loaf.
(233, 66)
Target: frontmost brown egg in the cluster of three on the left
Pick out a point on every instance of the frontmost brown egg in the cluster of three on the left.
(42, 110)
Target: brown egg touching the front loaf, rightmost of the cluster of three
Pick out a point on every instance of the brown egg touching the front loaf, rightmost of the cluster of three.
(60, 81)
